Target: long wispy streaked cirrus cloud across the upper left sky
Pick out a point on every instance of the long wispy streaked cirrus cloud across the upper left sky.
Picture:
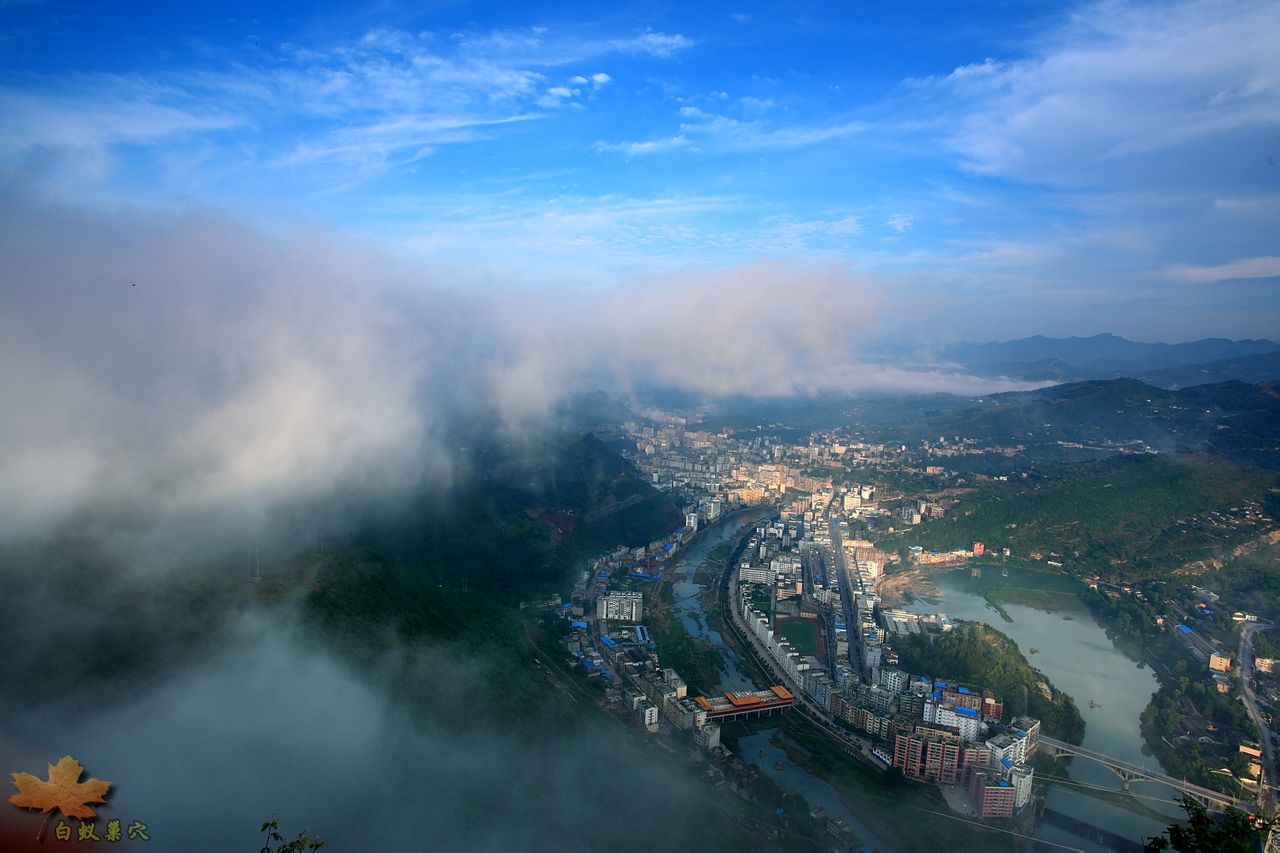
(356, 107)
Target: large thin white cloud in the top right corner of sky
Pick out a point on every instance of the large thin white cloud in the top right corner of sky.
(1127, 92)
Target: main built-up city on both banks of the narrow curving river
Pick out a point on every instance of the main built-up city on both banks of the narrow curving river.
(806, 596)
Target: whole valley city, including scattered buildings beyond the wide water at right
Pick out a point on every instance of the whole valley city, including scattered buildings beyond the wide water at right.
(803, 600)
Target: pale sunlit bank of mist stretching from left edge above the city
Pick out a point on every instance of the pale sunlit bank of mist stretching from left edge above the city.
(189, 364)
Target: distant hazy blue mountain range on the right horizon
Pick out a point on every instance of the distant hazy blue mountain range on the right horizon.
(1101, 357)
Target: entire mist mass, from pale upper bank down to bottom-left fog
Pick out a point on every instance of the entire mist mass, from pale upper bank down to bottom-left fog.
(181, 389)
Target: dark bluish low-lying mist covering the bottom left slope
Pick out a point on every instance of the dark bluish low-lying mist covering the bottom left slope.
(272, 723)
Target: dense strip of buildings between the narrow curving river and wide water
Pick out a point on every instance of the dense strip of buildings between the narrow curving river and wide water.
(935, 731)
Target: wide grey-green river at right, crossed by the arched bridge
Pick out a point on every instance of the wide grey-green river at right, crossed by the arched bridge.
(1078, 658)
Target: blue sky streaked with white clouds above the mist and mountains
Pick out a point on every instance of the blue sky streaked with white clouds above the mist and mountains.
(995, 170)
